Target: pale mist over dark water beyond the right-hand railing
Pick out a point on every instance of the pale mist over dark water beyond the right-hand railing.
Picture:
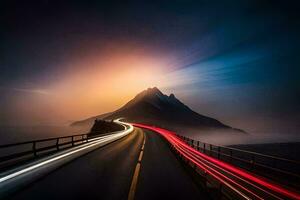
(285, 145)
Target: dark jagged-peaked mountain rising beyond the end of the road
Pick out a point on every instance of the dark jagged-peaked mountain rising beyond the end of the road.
(151, 106)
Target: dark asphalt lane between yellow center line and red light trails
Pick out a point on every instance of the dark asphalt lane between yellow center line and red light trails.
(162, 176)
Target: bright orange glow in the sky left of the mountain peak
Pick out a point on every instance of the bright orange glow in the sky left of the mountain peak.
(91, 86)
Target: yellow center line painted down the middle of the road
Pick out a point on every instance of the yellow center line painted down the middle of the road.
(136, 172)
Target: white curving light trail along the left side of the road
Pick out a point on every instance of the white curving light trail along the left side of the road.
(92, 143)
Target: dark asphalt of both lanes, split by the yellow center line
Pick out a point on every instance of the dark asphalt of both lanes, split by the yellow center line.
(107, 173)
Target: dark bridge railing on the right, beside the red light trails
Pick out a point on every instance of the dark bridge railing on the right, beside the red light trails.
(282, 170)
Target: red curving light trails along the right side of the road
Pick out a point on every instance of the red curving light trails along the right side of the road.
(246, 178)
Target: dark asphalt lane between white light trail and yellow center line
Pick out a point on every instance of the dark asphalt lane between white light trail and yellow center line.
(105, 173)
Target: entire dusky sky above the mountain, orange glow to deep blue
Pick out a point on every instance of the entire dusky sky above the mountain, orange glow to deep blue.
(237, 61)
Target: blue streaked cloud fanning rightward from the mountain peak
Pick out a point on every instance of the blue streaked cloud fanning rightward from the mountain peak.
(224, 70)
